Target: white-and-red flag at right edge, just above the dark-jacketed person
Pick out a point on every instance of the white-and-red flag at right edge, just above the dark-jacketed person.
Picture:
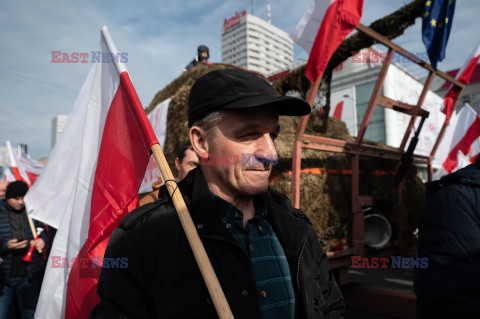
(461, 136)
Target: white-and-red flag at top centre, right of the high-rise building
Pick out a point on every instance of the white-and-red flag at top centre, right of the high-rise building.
(323, 27)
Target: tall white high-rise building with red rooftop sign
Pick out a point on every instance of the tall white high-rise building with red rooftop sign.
(254, 44)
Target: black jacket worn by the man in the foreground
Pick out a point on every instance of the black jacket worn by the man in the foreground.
(162, 279)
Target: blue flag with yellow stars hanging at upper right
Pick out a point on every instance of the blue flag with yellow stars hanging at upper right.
(437, 22)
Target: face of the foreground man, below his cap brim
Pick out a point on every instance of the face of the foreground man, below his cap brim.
(249, 136)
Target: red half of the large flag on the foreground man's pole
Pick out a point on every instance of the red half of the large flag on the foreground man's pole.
(122, 161)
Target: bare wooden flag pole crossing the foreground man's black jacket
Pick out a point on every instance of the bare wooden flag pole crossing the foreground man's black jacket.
(211, 280)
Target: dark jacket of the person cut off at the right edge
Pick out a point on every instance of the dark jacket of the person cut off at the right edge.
(450, 238)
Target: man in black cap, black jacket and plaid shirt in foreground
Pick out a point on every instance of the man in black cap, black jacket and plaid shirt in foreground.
(265, 253)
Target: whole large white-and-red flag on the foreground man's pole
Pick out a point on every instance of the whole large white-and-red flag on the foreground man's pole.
(90, 183)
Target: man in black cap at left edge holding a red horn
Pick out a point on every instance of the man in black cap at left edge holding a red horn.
(17, 276)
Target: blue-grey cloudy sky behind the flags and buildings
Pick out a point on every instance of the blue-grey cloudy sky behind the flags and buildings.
(160, 38)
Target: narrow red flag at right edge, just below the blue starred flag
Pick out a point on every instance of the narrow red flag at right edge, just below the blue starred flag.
(463, 75)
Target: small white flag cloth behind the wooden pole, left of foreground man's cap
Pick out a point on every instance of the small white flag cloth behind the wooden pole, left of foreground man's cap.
(158, 119)
